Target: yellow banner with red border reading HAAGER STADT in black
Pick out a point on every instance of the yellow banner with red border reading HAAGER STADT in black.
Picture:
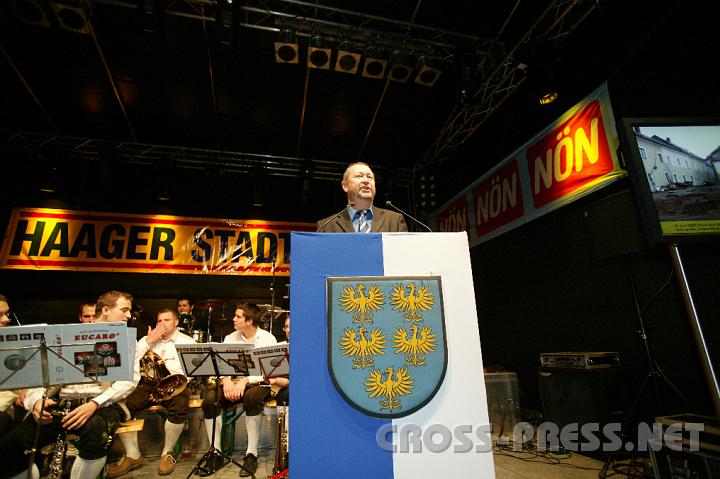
(40, 238)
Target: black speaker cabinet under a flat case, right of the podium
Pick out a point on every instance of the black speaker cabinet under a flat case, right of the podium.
(583, 395)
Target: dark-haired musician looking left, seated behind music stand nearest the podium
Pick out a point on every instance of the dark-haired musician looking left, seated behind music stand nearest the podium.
(245, 389)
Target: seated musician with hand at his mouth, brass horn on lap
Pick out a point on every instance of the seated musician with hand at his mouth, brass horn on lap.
(161, 340)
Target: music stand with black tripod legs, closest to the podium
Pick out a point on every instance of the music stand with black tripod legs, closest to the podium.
(206, 361)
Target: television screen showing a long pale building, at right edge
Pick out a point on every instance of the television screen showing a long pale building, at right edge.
(674, 165)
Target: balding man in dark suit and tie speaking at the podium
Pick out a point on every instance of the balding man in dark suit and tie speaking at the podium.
(361, 216)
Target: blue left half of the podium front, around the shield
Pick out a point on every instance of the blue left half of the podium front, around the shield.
(327, 436)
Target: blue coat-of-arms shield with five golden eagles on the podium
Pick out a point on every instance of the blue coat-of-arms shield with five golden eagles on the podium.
(387, 351)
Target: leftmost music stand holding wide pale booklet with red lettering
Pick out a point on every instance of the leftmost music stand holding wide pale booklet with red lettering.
(33, 338)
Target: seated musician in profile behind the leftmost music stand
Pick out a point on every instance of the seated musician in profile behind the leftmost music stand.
(95, 420)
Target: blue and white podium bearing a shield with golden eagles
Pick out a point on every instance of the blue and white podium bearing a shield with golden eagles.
(328, 432)
